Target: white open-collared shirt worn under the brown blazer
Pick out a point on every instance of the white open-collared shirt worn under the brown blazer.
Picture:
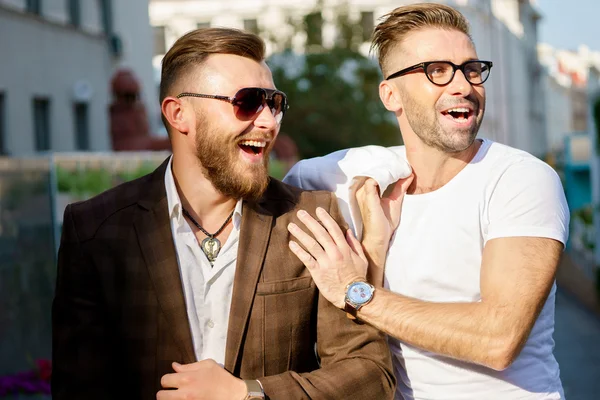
(207, 290)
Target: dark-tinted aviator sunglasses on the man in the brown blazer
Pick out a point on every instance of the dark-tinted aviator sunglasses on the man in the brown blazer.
(248, 102)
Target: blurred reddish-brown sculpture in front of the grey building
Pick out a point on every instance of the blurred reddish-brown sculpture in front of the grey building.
(129, 128)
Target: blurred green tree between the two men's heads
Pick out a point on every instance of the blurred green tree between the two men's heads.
(333, 92)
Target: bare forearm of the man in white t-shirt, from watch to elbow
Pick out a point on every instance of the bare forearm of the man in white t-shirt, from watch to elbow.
(473, 332)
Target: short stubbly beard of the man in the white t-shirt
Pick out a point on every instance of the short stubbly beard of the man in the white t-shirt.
(426, 126)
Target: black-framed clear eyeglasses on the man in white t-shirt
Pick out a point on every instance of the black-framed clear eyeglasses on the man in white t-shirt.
(442, 72)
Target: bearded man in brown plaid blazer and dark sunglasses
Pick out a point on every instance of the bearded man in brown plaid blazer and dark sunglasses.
(180, 284)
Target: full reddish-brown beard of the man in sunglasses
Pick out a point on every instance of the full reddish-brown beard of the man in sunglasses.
(219, 159)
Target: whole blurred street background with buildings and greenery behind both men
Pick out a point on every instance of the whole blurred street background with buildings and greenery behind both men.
(79, 114)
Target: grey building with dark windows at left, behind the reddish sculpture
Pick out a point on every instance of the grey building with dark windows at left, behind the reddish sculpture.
(58, 57)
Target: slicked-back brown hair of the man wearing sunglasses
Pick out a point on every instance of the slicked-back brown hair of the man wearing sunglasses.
(193, 48)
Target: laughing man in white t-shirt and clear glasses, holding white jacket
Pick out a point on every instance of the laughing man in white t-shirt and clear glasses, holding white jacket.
(476, 228)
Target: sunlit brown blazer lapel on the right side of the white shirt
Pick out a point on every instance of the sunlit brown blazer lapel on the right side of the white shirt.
(254, 237)
